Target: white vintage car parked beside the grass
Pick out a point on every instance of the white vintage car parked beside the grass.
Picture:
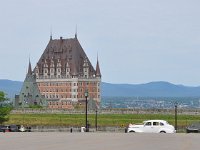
(152, 126)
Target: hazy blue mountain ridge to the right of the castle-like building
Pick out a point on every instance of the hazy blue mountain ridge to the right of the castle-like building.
(151, 89)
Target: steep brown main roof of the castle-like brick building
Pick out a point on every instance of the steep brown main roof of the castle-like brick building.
(67, 51)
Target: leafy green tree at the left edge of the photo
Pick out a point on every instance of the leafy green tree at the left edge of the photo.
(4, 110)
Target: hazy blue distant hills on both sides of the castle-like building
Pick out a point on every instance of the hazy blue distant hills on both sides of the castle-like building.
(152, 89)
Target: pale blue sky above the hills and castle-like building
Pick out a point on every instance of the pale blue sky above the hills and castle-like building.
(137, 41)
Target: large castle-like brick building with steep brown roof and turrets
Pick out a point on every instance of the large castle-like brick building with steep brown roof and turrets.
(64, 73)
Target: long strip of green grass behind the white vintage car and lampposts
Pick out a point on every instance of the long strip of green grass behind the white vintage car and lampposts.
(78, 120)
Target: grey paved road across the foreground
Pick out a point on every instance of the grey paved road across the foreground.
(97, 141)
